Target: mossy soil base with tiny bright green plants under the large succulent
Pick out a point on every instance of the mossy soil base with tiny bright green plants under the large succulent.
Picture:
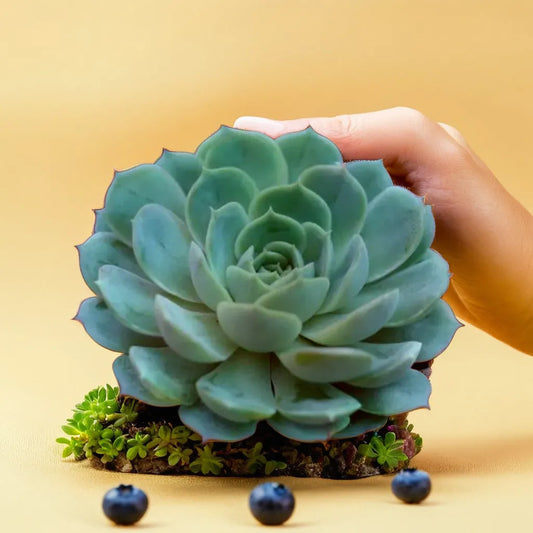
(120, 433)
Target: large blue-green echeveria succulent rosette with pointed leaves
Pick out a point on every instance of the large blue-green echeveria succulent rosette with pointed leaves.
(262, 279)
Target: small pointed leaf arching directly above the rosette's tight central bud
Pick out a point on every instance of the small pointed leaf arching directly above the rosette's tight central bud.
(268, 228)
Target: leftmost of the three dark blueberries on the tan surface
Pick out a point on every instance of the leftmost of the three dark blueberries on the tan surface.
(125, 504)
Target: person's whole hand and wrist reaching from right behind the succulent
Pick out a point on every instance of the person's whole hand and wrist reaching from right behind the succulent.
(484, 233)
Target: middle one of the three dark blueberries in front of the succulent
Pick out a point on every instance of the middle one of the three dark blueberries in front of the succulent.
(271, 503)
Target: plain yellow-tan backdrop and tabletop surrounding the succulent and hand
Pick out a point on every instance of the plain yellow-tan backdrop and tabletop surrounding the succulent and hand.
(88, 87)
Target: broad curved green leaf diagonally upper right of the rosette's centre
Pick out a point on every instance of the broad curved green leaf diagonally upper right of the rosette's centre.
(344, 196)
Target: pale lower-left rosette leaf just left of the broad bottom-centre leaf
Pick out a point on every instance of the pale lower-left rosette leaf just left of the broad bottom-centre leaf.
(167, 375)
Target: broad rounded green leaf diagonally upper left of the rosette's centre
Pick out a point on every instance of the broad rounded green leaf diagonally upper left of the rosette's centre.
(216, 188)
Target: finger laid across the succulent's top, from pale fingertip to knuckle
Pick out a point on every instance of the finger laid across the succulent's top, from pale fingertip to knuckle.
(404, 138)
